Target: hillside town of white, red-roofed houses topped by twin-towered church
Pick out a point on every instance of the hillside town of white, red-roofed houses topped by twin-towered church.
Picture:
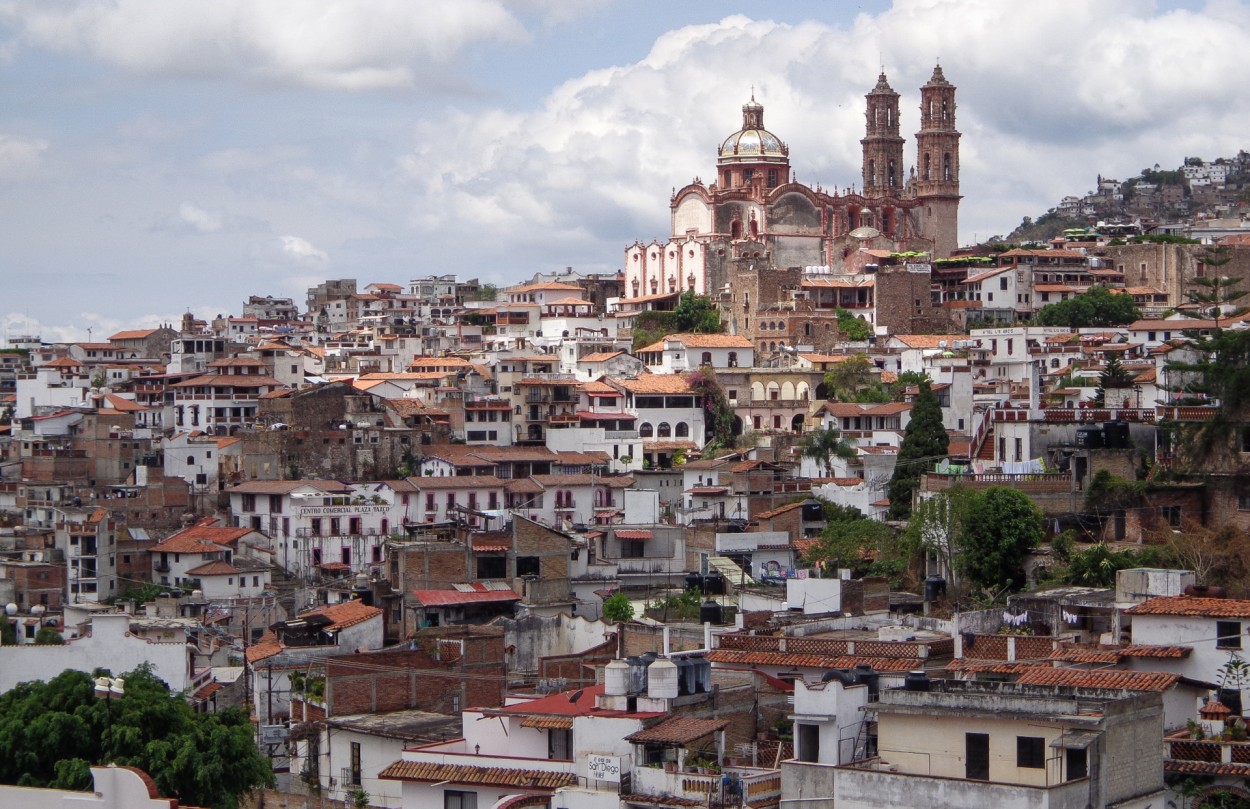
(806, 506)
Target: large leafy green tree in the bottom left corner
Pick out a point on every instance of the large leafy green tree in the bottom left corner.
(52, 733)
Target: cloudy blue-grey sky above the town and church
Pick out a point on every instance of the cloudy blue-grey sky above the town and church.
(159, 157)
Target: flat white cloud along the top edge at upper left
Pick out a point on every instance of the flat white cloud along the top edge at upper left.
(336, 44)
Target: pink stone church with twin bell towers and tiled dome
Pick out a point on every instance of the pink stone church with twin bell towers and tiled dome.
(757, 228)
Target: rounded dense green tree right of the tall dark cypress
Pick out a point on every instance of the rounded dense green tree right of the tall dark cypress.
(1003, 527)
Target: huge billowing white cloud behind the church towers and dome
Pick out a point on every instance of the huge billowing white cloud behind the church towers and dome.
(596, 163)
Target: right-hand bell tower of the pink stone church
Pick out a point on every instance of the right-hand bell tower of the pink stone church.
(938, 166)
